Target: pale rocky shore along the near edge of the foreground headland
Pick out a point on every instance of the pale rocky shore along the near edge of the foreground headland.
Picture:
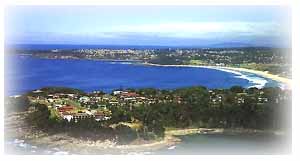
(63, 143)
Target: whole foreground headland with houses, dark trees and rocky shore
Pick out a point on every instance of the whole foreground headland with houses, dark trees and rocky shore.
(139, 120)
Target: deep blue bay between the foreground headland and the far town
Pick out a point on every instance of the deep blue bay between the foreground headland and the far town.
(26, 73)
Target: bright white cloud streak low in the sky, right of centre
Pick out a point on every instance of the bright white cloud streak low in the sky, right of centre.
(202, 29)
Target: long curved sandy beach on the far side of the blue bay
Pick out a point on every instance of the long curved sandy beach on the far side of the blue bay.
(286, 81)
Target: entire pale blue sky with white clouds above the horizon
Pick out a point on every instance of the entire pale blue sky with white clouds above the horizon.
(148, 25)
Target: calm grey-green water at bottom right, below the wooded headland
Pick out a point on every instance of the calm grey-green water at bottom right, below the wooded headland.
(225, 144)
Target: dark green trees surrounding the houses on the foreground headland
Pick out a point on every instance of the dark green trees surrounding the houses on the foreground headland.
(237, 107)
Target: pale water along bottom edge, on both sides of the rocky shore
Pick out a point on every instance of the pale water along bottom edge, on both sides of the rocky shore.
(195, 144)
